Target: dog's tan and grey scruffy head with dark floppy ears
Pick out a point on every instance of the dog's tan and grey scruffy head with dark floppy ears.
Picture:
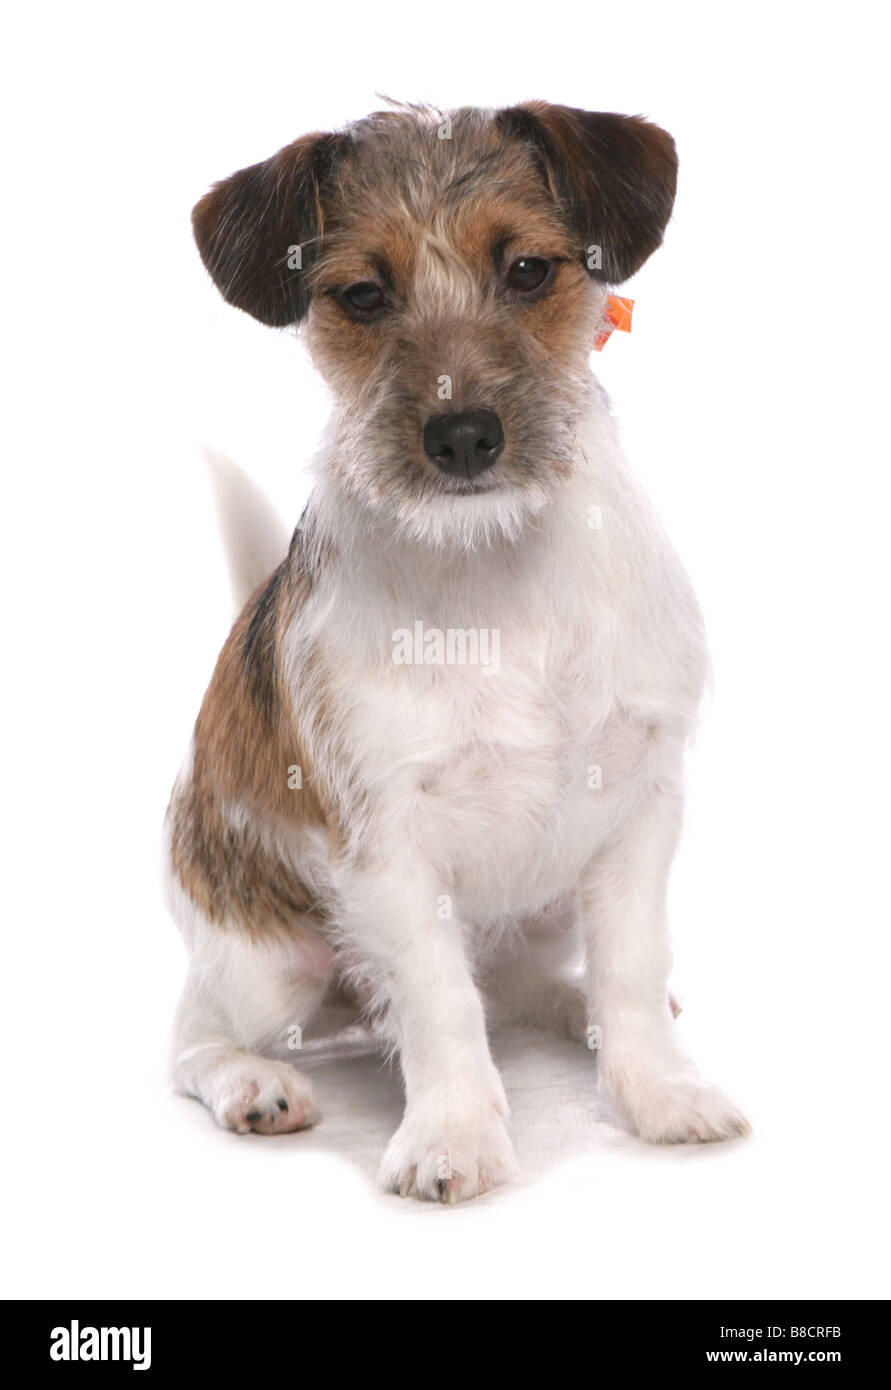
(451, 272)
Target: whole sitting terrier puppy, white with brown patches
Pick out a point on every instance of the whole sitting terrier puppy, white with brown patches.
(437, 776)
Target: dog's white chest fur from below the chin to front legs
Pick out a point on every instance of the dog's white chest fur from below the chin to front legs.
(502, 710)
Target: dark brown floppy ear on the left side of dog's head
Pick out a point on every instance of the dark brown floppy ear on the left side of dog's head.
(251, 226)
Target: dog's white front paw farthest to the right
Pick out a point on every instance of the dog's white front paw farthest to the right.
(675, 1110)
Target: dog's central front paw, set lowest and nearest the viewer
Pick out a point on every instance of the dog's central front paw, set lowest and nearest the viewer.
(450, 1163)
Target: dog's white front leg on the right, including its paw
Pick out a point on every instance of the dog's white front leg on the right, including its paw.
(641, 1060)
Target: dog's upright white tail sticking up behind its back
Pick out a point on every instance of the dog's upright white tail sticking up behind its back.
(255, 539)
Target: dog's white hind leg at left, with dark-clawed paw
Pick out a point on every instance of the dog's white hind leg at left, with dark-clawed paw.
(243, 1014)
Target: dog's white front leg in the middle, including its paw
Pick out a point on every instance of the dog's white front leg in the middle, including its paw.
(452, 1142)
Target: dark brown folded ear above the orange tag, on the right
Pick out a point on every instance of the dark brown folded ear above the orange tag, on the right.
(612, 176)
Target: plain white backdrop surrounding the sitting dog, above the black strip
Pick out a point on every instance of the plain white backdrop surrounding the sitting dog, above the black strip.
(755, 407)
